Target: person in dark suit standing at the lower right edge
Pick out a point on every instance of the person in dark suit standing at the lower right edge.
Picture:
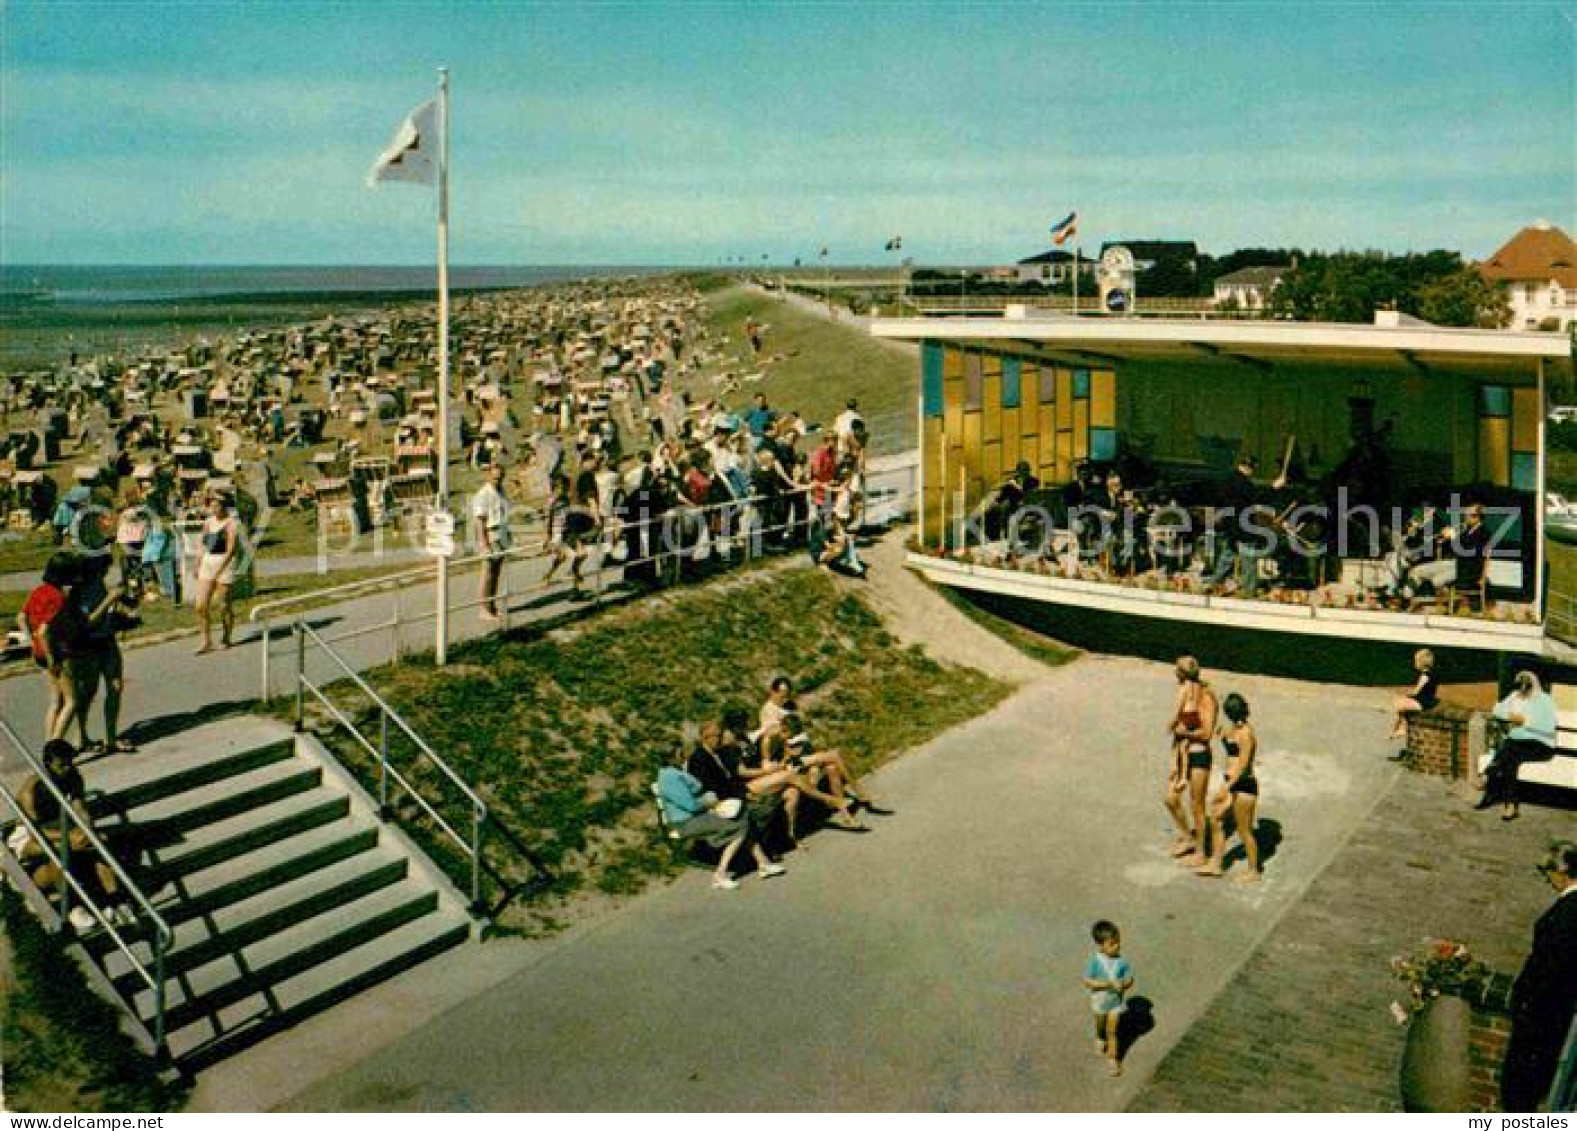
(1546, 991)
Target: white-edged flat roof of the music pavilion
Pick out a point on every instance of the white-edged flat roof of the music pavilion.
(1256, 343)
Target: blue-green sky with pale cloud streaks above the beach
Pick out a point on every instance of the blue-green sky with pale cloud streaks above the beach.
(704, 133)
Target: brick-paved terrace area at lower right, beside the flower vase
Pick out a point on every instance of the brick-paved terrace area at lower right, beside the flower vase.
(1305, 1025)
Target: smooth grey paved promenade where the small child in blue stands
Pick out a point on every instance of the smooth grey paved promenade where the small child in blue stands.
(931, 965)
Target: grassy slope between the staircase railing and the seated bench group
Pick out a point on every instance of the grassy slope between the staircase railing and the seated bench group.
(564, 733)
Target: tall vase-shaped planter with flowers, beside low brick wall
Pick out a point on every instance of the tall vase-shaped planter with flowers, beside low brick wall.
(1441, 980)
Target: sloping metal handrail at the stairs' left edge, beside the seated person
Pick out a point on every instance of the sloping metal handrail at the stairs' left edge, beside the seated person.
(72, 821)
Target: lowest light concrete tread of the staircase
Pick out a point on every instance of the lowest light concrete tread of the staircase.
(211, 988)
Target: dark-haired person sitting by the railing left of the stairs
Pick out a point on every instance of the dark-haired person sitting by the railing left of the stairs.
(88, 867)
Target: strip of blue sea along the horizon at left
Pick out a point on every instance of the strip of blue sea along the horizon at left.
(42, 283)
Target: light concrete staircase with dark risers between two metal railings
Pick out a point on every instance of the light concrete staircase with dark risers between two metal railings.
(283, 890)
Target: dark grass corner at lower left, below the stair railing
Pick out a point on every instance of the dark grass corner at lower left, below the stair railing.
(64, 1048)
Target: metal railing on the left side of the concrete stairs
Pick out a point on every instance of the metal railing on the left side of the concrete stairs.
(59, 854)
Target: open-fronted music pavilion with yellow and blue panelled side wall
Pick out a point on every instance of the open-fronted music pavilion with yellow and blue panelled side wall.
(1458, 411)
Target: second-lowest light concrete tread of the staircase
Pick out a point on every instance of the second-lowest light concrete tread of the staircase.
(229, 930)
